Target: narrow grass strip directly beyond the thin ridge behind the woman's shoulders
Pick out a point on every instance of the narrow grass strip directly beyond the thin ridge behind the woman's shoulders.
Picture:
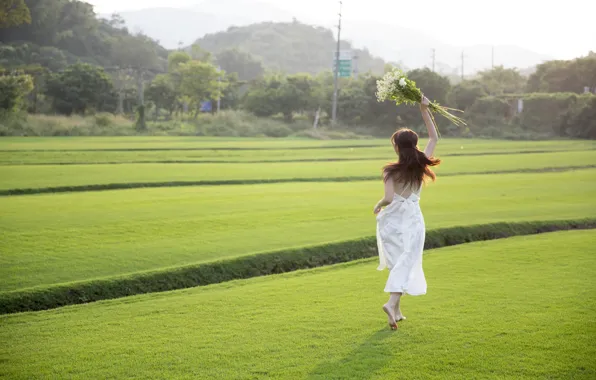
(39, 177)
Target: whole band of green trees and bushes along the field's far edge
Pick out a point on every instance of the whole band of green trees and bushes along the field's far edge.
(123, 73)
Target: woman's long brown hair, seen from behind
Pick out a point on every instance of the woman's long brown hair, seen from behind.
(413, 167)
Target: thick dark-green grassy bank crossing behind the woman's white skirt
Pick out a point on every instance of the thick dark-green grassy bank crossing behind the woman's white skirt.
(256, 265)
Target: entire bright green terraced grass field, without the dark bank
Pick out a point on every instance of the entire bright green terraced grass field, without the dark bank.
(515, 308)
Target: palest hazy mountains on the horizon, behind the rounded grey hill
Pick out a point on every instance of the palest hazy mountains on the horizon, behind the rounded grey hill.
(391, 42)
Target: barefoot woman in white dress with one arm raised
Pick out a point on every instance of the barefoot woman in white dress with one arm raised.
(400, 225)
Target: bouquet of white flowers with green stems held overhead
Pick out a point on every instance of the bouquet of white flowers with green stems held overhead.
(397, 87)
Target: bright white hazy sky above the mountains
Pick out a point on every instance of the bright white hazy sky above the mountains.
(564, 29)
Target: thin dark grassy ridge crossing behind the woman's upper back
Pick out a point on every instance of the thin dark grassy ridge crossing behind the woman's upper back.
(139, 185)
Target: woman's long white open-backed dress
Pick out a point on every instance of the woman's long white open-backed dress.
(400, 240)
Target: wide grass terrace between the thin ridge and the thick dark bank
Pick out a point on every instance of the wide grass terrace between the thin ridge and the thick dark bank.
(53, 239)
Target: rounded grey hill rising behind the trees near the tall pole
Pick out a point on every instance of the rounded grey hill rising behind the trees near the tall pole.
(289, 47)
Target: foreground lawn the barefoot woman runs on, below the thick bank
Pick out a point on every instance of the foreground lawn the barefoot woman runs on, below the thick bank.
(521, 308)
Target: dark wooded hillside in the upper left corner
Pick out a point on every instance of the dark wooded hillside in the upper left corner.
(64, 33)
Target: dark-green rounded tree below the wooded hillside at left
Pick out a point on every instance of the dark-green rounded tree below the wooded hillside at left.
(80, 88)
